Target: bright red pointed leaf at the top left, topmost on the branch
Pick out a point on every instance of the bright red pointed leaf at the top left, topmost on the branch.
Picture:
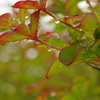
(27, 5)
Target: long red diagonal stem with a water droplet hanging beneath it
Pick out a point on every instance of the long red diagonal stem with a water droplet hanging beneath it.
(52, 15)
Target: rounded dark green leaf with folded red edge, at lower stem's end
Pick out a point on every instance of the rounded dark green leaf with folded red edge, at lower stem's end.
(72, 56)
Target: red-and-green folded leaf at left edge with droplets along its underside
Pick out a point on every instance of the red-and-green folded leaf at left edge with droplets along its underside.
(20, 33)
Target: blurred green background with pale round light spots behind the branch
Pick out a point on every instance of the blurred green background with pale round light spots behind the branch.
(23, 66)
